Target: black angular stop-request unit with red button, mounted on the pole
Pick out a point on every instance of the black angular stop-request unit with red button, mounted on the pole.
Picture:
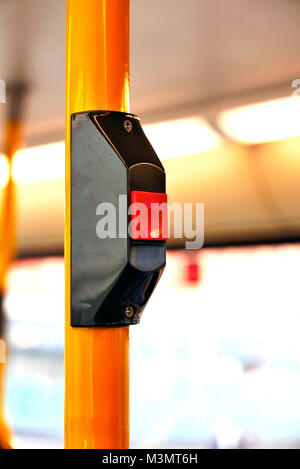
(118, 249)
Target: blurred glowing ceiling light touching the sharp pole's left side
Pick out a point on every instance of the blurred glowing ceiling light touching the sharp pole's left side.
(37, 164)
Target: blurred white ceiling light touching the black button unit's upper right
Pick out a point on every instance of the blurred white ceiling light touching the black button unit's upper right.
(180, 137)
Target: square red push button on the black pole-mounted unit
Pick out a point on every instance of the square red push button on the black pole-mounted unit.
(149, 216)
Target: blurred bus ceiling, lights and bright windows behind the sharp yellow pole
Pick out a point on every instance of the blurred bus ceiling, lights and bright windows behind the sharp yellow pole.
(216, 359)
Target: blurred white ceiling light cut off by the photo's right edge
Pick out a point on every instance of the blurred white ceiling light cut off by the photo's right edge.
(263, 122)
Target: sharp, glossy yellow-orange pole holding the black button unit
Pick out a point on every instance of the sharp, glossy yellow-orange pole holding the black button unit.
(96, 359)
